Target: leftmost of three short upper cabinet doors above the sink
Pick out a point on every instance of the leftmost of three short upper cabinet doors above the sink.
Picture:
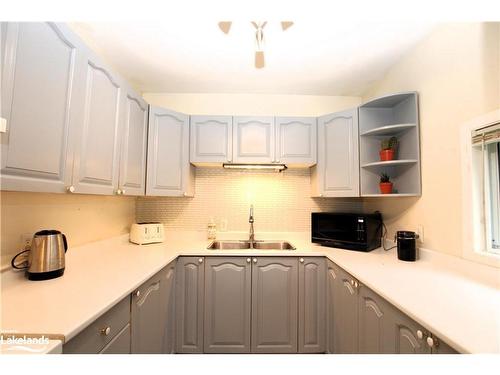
(211, 139)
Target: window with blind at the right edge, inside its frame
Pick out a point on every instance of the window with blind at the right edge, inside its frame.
(486, 189)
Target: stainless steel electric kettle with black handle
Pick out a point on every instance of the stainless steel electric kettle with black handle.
(46, 256)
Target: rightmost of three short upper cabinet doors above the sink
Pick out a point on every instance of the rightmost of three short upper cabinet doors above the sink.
(296, 140)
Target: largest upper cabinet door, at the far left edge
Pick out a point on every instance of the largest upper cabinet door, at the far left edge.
(41, 82)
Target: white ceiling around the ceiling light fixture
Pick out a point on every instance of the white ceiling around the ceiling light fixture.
(323, 53)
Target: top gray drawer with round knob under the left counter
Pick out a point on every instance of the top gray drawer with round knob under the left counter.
(93, 339)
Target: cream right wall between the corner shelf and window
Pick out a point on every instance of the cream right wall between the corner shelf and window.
(456, 71)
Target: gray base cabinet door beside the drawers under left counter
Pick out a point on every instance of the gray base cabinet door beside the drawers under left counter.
(149, 315)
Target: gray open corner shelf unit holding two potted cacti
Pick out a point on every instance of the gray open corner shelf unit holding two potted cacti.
(391, 115)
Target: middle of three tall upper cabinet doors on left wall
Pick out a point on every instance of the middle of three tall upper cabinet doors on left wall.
(96, 163)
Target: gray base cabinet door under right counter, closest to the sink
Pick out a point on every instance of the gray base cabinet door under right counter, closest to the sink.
(345, 314)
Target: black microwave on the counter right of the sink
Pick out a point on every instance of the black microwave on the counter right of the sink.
(360, 232)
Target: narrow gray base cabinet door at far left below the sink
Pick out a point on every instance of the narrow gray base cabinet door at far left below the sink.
(189, 304)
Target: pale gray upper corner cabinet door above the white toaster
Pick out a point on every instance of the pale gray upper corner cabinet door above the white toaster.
(169, 171)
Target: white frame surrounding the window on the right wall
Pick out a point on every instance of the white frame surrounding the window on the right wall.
(473, 226)
